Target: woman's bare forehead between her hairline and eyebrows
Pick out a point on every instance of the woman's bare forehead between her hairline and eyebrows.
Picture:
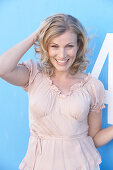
(66, 37)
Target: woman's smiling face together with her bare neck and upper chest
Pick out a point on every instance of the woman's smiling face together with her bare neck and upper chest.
(62, 52)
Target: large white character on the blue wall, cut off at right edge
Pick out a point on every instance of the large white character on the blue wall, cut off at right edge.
(106, 50)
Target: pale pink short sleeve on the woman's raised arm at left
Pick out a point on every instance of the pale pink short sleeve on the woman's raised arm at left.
(33, 68)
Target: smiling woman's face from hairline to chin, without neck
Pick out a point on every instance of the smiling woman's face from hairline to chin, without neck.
(62, 51)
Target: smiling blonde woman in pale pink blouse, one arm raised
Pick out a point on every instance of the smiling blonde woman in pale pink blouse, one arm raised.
(65, 104)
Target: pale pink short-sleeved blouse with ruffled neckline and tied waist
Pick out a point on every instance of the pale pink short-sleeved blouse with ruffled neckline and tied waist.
(58, 123)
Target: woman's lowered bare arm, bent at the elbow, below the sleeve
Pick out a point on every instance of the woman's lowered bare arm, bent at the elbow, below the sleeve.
(100, 136)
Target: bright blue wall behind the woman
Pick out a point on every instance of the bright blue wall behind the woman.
(18, 19)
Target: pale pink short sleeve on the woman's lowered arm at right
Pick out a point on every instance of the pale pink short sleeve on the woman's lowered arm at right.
(98, 95)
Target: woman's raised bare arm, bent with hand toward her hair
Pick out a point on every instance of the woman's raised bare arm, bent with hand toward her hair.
(9, 70)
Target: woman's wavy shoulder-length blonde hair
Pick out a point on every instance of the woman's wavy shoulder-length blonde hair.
(56, 25)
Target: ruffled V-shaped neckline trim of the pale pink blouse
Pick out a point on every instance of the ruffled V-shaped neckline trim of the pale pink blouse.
(72, 88)
